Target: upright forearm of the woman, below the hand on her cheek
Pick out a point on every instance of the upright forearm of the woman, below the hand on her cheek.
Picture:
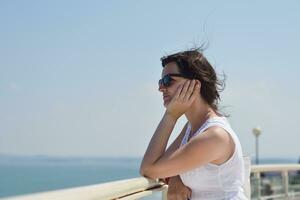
(159, 141)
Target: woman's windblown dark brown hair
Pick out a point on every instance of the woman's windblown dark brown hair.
(192, 63)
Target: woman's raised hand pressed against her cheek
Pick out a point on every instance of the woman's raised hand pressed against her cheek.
(183, 98)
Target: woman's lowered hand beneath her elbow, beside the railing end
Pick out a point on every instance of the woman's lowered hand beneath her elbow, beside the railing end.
(177, 190)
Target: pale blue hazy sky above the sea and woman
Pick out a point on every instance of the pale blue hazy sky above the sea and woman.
(80, 77)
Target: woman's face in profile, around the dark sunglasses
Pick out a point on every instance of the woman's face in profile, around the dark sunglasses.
(169, 91)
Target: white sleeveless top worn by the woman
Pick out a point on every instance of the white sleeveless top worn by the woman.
(215, 182)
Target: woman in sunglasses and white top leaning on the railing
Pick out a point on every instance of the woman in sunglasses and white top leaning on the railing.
(207, 155)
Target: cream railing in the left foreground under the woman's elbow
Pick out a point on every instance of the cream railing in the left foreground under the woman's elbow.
(127, 189)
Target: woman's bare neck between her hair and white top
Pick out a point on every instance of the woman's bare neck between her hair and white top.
(198, 113)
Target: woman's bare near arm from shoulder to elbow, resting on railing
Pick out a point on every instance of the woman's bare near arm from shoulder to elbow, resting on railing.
(211, 145)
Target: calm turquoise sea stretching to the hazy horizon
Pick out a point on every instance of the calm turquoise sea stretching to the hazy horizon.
(21, 175)
